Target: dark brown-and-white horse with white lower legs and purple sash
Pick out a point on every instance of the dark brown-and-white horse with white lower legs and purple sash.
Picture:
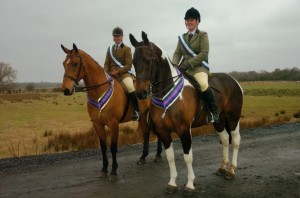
(176, 107)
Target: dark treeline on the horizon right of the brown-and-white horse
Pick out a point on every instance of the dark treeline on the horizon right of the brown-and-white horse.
(278, 74)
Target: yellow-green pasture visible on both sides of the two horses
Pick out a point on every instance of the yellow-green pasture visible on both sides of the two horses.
(27, 120)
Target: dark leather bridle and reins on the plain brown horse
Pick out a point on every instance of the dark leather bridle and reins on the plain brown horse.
(77, 88)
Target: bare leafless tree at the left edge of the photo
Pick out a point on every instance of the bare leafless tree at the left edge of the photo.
(7, 75)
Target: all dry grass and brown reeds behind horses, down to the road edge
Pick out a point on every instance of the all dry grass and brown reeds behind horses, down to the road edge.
(32, 124)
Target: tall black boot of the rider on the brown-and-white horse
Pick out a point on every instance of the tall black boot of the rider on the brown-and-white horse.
(209, 98)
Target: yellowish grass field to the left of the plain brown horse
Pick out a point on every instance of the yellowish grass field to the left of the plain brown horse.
(25, 118)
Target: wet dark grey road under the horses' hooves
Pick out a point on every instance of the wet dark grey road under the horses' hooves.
(268, 166)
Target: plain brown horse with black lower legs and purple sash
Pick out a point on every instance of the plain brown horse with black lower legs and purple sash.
(108, 104)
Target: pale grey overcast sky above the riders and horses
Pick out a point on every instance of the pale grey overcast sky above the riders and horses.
(244, 35)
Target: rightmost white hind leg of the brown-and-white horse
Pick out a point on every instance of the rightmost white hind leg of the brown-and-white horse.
(236, 139)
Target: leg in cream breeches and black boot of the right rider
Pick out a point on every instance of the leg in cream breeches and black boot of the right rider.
(208, 95)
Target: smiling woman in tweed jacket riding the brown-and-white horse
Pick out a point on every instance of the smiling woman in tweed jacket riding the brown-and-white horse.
(195, 63)
